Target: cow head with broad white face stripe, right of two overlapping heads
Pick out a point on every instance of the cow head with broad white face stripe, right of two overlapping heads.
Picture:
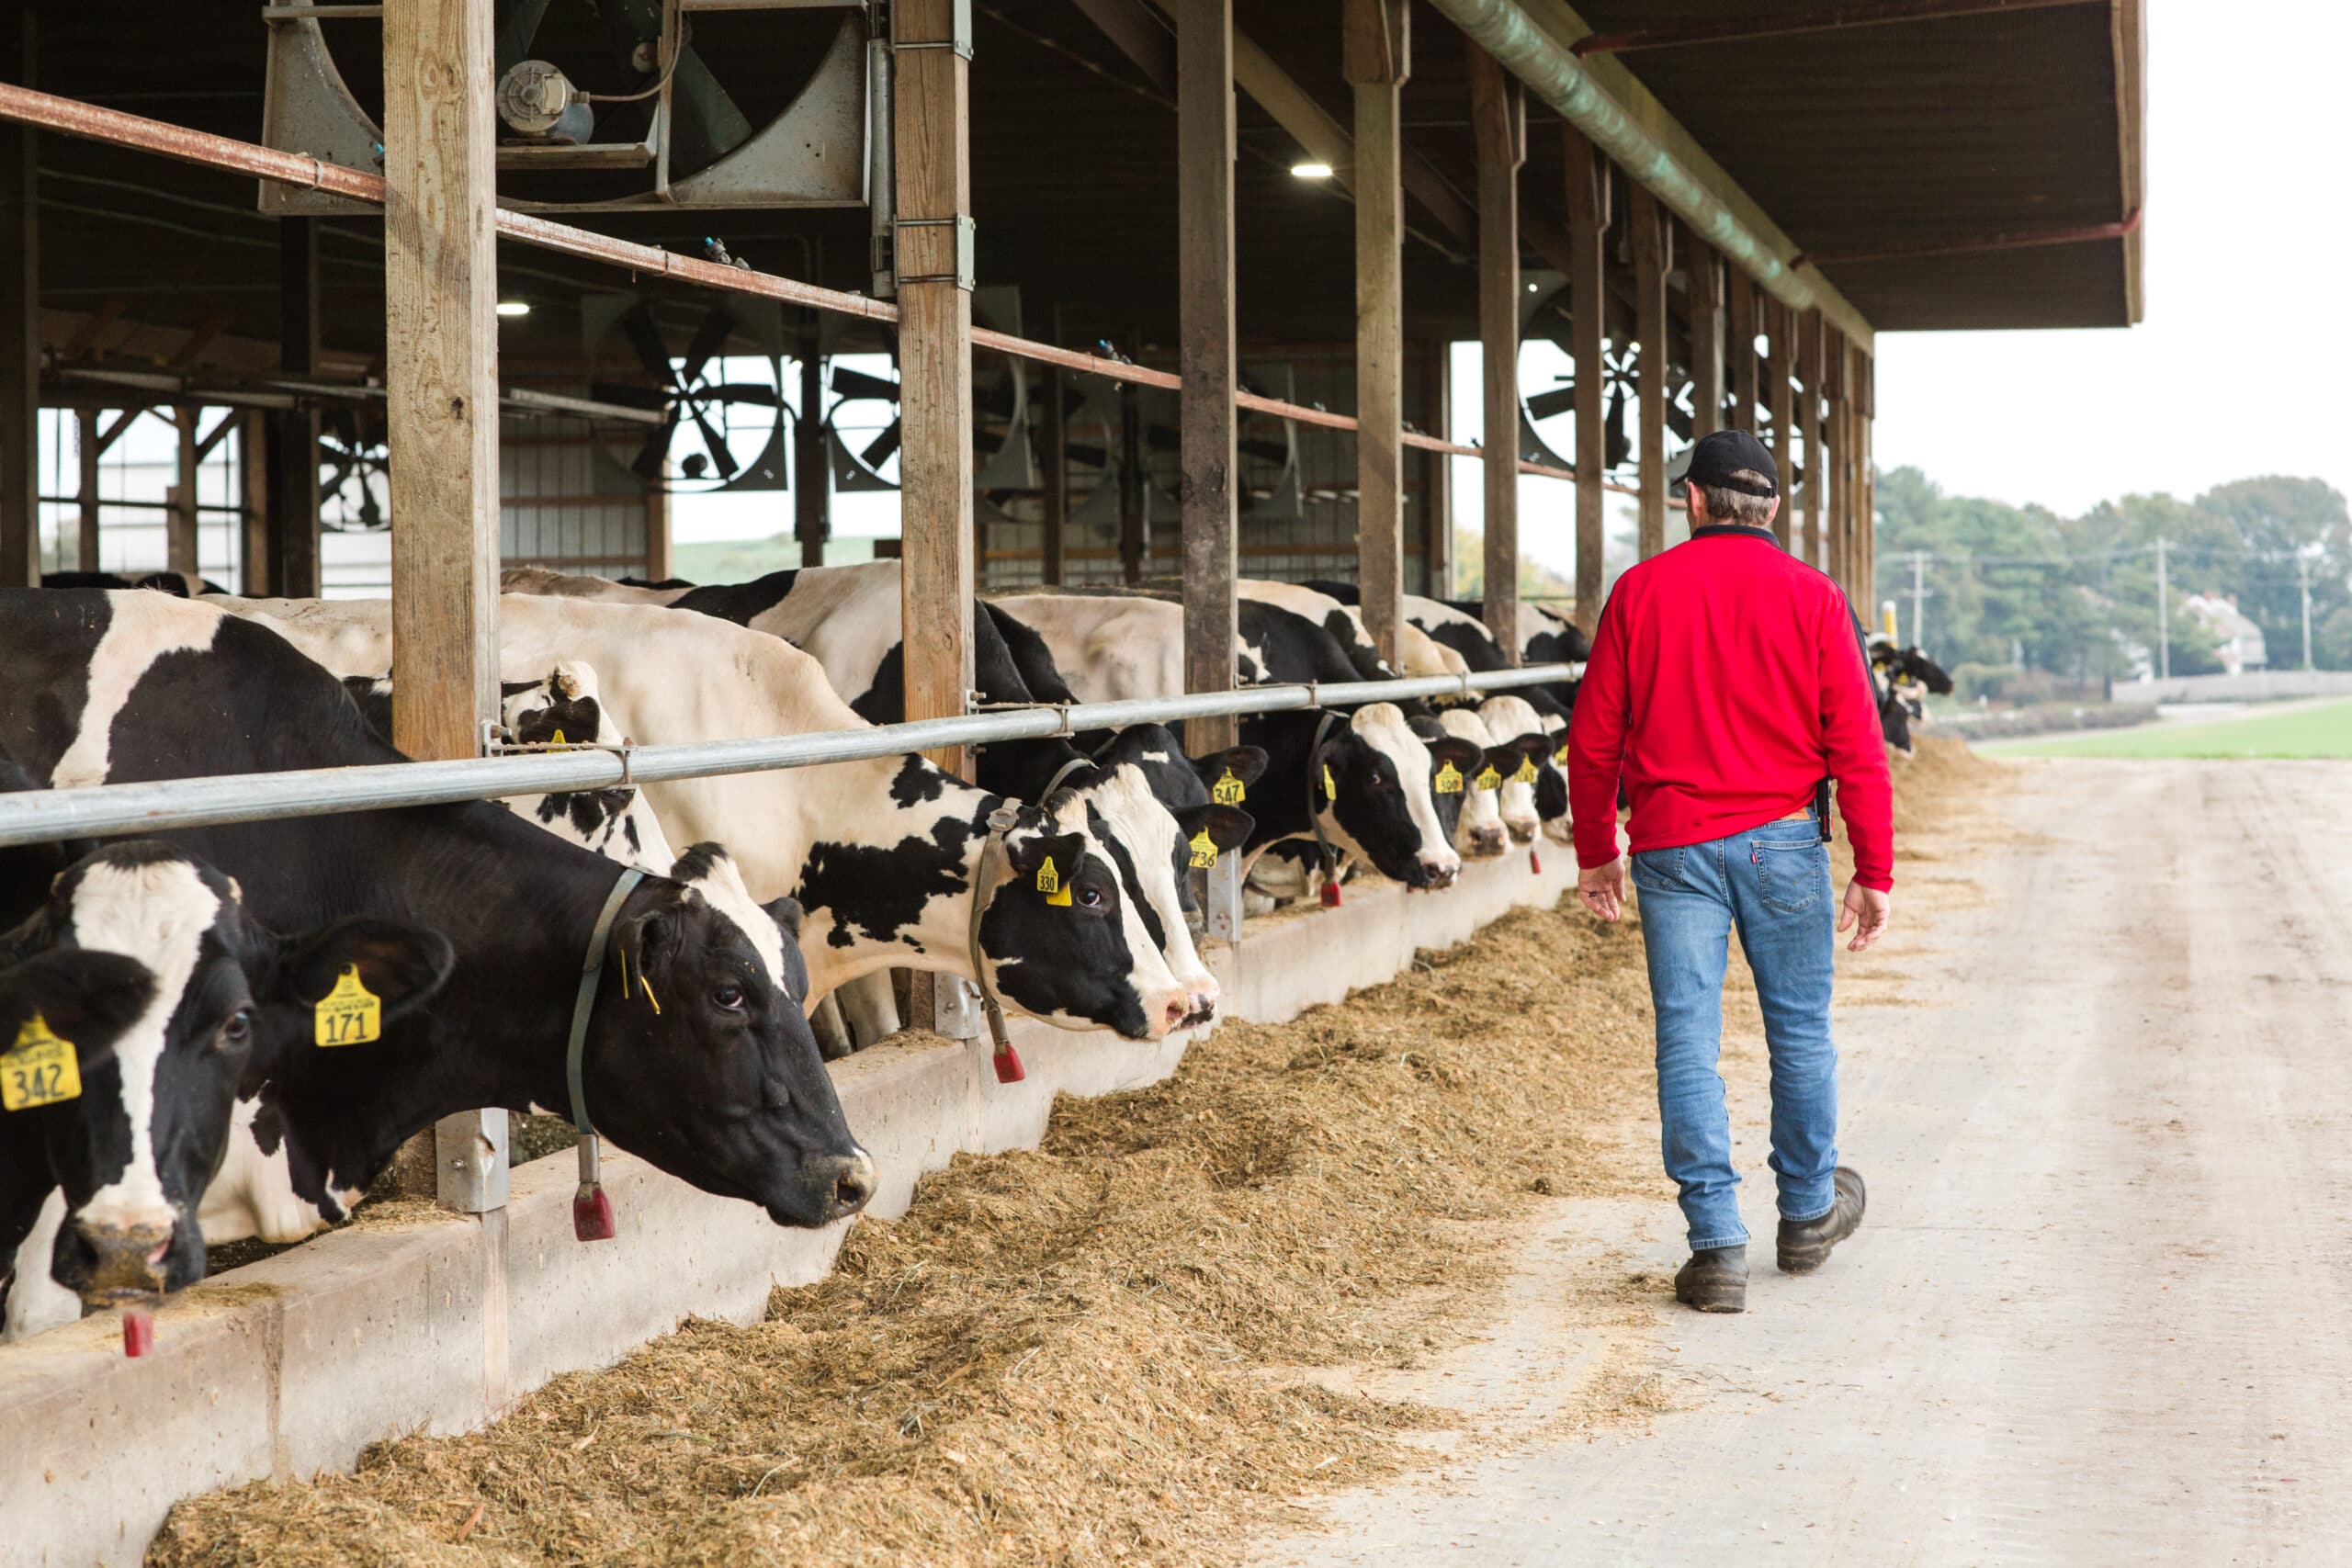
(1372, 793)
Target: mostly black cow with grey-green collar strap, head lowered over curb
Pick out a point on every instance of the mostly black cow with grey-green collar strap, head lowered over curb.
(719, 1087)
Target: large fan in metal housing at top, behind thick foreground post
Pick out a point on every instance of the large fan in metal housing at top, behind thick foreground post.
(613, 102)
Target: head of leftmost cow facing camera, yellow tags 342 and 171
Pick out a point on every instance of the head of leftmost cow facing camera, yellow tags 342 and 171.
(159, 1064)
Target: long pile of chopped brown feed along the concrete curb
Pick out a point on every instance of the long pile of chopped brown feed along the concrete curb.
(1196, 1311)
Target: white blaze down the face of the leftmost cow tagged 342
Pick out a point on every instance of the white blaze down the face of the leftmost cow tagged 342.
(159, 916)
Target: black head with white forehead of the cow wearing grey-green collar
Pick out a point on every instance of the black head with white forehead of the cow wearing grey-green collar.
(700, 1057)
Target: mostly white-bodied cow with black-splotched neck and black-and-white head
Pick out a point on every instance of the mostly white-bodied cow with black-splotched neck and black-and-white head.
(881, 852)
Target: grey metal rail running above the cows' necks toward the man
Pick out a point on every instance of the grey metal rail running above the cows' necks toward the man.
(95, 812)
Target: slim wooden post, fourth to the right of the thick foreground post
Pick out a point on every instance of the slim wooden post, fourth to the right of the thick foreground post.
(1499, 128)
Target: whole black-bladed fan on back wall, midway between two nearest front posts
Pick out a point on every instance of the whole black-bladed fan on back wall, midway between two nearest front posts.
(714, 375)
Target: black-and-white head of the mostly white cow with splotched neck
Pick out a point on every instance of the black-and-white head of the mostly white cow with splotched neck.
(1067, 942)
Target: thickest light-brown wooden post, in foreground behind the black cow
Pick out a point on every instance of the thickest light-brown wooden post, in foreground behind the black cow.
(441, 359)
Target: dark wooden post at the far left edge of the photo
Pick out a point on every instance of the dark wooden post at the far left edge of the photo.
(20, 323)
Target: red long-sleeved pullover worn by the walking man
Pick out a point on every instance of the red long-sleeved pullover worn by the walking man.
(1728, 678)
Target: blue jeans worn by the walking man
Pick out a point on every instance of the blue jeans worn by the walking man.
(1772, 885)
